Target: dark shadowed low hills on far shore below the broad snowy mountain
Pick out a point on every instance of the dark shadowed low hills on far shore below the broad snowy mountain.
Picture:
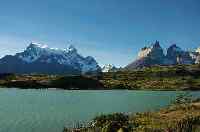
(50, 81)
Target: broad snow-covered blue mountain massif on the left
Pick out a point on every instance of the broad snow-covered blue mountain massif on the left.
(37, 55)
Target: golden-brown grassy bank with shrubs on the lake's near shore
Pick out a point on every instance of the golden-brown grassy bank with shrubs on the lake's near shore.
(181, 116)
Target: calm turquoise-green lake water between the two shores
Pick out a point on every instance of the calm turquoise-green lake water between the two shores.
(51, 110)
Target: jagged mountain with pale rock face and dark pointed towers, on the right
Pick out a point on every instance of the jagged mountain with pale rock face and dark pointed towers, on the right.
(154, 55)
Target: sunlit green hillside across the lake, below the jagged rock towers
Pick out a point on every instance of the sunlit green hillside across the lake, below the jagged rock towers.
(180, 77)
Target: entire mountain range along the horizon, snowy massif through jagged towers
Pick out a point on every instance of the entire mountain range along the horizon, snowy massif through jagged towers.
(37, 58)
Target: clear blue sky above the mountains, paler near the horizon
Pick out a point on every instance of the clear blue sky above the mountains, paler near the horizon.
(112, 31)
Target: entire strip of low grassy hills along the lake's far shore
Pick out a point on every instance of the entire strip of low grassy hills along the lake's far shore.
(179, 77)
